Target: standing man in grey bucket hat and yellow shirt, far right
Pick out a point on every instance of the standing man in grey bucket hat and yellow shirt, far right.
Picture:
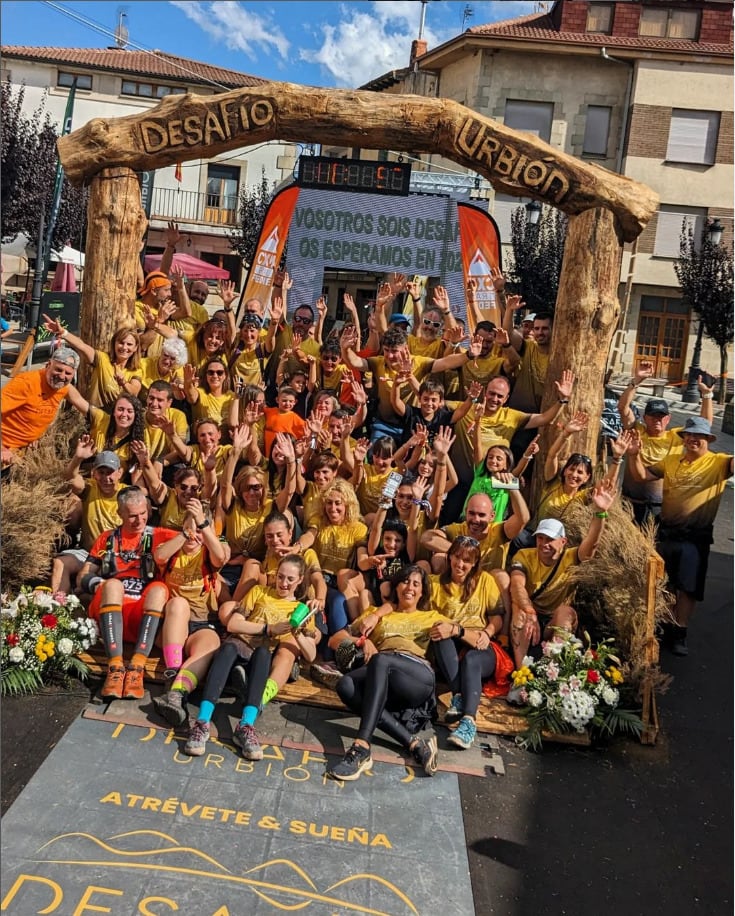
(693, 484)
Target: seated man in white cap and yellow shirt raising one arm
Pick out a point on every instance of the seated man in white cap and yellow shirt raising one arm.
(539, 582)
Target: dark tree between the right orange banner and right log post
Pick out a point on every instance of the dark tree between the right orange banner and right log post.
(538, 251)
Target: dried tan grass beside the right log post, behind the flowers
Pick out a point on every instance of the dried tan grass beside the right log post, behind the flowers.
(611, 590)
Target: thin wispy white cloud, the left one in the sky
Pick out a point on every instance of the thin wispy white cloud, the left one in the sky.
(236, 27)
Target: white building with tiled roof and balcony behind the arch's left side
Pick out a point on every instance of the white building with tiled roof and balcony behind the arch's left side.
(114, 82)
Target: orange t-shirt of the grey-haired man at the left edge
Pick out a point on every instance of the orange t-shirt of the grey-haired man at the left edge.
(29, 406)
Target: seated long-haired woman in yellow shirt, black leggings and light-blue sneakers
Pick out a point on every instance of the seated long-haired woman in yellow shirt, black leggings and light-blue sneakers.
(466, 651)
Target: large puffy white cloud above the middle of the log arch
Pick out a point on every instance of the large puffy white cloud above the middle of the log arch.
(362, 45)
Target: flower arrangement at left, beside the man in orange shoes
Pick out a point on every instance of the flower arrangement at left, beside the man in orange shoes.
(41, 636)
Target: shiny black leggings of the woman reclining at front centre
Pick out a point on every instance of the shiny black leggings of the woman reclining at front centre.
(387, 682)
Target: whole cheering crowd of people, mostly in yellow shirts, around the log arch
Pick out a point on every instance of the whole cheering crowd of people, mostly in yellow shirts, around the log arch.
(259, 496)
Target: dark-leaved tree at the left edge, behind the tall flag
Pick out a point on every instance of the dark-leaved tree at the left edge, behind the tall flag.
(28, 175)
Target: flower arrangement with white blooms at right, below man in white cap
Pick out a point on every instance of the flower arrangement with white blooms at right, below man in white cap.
(572, 688)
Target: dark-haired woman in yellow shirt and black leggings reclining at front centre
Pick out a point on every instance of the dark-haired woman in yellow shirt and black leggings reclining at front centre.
(396, 668)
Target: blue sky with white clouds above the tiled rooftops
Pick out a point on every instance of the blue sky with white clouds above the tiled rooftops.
(330, 44)
